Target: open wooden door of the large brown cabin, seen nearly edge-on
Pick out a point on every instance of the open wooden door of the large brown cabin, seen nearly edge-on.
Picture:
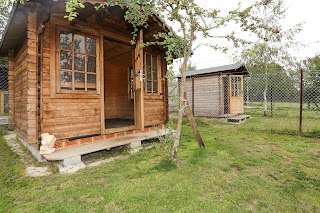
(138, 97)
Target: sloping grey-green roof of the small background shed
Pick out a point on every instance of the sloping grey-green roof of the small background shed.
(237, 68)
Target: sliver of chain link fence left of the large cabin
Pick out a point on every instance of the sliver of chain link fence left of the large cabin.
(4, 97)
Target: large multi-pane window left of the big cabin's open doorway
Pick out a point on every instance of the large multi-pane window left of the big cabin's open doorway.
(78, 62)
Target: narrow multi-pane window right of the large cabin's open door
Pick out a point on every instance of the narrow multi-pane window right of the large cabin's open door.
(150, 74)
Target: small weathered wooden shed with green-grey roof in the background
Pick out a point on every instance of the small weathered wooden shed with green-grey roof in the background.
(216, 91)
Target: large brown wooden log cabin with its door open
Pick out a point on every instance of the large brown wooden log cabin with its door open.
(82, 81)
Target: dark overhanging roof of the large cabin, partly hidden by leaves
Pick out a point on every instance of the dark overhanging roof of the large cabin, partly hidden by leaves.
(15, 32)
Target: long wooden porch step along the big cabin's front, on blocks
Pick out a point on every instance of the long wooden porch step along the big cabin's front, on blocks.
(83, 149)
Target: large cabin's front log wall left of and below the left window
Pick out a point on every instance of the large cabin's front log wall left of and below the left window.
(70, 116)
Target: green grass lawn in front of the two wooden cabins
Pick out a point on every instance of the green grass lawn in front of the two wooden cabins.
(244, 168)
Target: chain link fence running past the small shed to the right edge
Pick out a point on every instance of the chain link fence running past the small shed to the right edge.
(220, 96)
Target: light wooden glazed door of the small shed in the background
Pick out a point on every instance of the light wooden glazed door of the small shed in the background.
(236, 94)
